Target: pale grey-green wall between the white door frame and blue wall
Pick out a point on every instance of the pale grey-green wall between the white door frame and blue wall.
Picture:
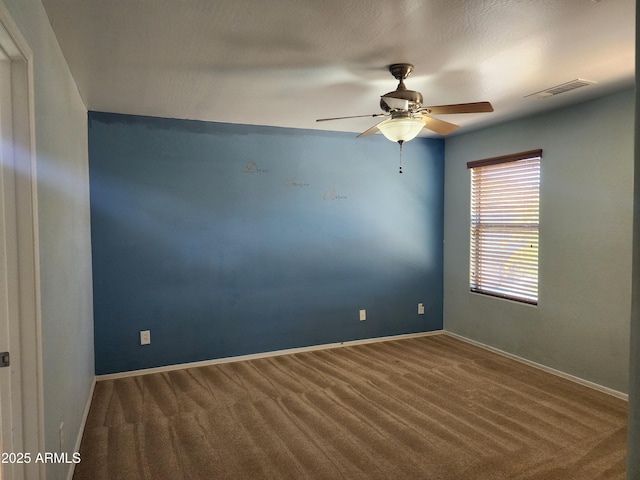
(64, 232)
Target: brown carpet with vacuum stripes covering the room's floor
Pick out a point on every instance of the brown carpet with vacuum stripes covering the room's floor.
(425, 408)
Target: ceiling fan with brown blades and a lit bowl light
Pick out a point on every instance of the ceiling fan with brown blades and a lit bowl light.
(407, 115)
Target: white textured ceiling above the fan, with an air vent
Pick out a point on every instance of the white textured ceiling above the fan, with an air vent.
(288, 62)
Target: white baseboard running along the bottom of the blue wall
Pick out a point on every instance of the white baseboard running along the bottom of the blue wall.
(253, 356)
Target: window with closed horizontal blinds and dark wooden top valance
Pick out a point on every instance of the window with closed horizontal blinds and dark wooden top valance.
(505, 197)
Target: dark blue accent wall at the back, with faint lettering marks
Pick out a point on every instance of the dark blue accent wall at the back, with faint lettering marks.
(227, 240)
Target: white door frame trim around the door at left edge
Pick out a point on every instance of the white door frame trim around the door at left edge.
(25, 328)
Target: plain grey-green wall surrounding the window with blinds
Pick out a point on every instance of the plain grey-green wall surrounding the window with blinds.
(581, 324)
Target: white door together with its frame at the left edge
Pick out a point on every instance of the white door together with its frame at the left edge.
(21, 402)
